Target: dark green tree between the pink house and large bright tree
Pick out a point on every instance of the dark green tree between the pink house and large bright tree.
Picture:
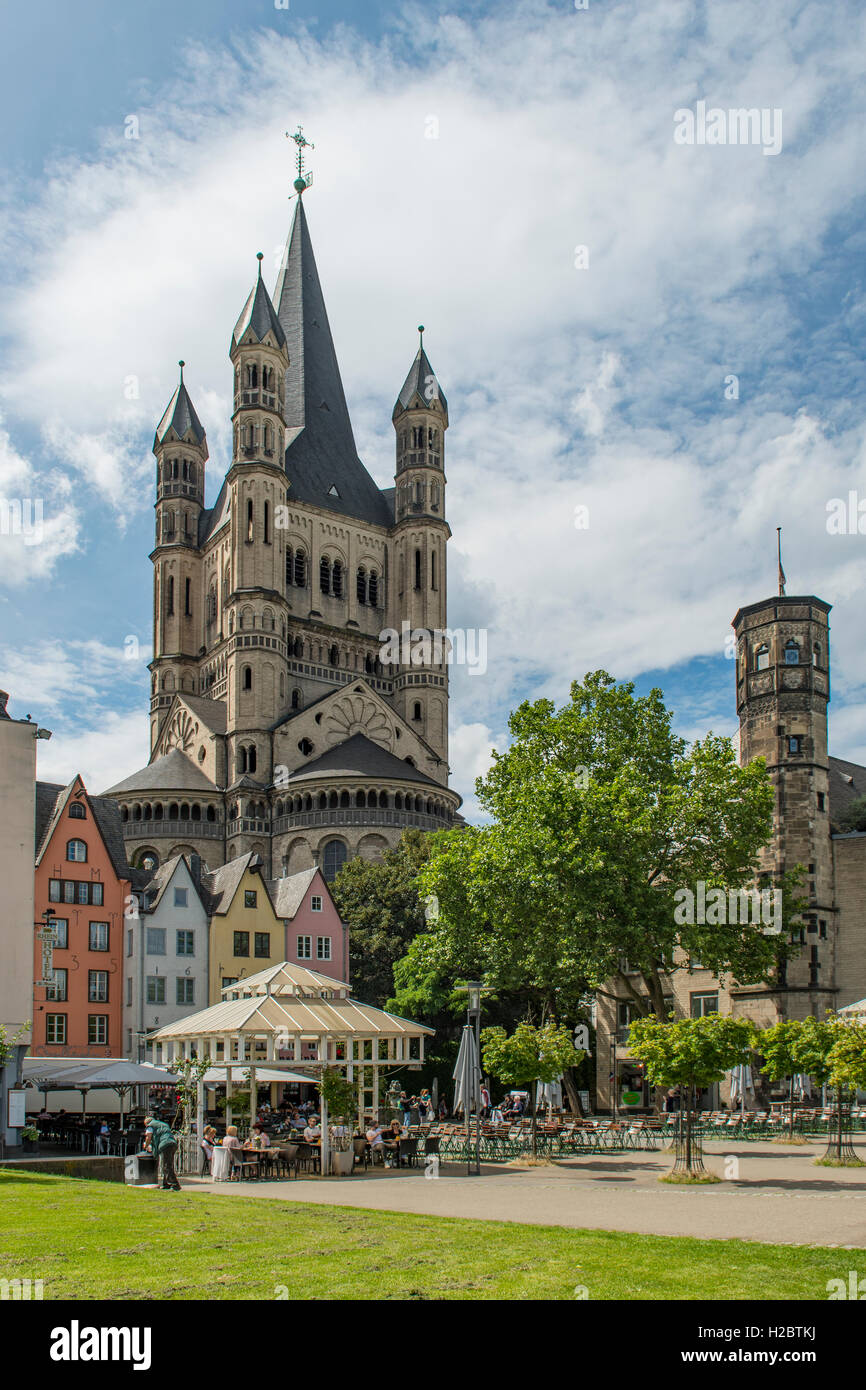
(384, 911)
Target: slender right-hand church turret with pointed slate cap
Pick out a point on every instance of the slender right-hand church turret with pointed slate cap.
(422, 533)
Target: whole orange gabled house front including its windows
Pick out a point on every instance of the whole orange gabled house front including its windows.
(83, 882)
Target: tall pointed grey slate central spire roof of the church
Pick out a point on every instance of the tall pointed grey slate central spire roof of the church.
(322, 450)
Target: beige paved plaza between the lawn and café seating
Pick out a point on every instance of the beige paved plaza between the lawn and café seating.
(772, 1195)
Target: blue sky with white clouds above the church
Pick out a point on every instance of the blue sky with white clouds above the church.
(653, 351)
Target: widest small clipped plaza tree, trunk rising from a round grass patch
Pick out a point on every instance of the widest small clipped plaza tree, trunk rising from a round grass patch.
(690, 1054)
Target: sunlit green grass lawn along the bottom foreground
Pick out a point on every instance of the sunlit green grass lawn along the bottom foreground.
(104, 1241)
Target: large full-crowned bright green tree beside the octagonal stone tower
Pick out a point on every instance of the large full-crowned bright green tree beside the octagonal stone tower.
(601, 819)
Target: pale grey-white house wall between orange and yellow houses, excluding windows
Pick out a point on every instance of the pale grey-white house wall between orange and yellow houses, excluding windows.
(141, 1015)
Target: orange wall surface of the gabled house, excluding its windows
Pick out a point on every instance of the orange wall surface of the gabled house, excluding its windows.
(77, 958)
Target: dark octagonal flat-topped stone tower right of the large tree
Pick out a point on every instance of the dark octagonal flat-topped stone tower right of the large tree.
(783, 690)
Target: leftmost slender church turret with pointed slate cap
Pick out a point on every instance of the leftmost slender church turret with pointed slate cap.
(180, 447)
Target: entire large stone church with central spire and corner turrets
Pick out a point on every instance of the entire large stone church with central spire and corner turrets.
(279, 722)
